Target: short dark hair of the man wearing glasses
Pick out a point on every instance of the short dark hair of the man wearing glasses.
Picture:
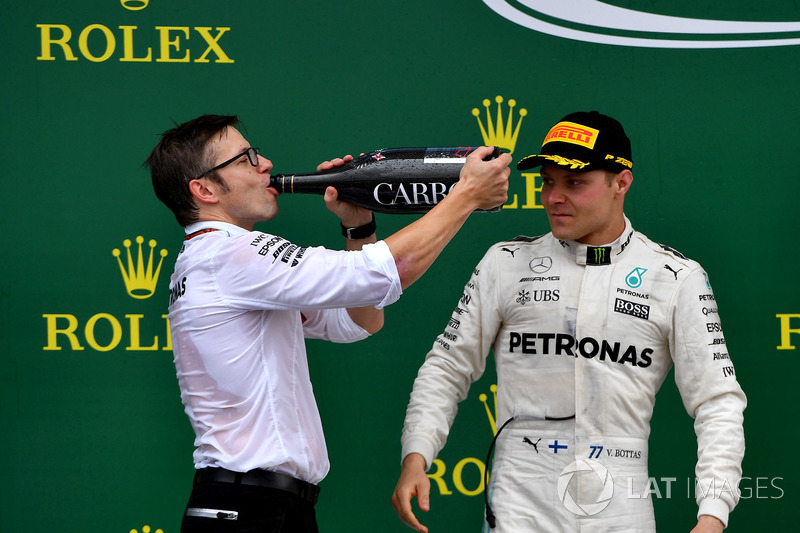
(180, 156)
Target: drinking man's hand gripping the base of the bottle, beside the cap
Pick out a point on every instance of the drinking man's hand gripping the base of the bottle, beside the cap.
(486, 182)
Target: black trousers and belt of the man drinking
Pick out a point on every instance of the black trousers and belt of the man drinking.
(256, 510)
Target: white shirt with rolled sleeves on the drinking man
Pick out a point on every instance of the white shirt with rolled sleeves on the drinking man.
(241, 303)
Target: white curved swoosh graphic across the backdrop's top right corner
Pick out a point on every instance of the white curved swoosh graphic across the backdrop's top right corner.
(559, 18)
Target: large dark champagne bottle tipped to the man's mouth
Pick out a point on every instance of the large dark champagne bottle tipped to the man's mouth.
(392, 180)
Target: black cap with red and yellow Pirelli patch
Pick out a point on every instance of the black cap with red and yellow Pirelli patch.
(584, 141)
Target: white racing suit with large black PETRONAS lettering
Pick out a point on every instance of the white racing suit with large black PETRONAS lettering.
(583, 338)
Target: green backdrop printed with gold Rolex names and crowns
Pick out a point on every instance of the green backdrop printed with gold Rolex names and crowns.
(93, 435)
